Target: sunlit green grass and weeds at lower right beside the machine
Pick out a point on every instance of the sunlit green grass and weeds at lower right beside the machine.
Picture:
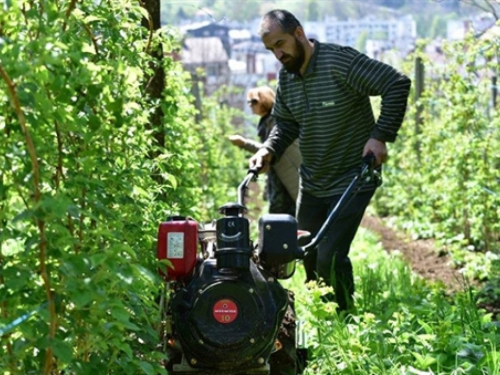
(403, 324)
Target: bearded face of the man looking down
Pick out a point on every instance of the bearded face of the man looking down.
(286, 48)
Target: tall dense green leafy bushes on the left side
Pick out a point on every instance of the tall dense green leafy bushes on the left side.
(81, 196)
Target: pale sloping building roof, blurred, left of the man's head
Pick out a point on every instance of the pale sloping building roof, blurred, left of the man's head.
(203, 51)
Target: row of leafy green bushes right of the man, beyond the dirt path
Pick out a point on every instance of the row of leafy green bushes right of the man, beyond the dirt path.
(442, 178)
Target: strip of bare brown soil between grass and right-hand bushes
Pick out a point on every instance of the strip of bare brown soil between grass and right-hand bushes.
(421, 254)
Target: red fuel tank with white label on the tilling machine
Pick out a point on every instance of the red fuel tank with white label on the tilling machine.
(177, 242)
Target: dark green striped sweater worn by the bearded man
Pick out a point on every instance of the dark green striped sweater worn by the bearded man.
(329, 110)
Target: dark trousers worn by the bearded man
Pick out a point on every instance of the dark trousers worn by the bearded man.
(330, 261)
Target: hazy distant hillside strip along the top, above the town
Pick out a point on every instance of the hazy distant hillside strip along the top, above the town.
(430, 15)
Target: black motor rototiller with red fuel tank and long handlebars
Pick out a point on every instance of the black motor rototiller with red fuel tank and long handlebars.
(224, 309)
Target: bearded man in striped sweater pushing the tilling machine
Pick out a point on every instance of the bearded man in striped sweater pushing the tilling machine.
(323, 99)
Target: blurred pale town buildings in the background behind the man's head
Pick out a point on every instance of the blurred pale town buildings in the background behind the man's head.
(231, 53)
